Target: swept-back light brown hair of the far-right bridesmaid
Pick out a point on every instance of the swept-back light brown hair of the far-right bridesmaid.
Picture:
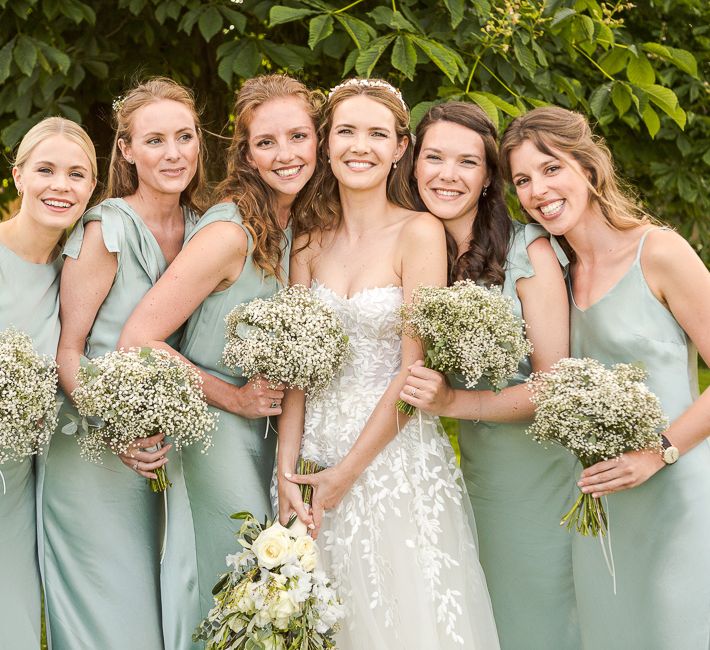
(553, 129)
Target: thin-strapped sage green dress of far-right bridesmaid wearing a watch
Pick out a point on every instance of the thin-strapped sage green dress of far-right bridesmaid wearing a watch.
(660, 530)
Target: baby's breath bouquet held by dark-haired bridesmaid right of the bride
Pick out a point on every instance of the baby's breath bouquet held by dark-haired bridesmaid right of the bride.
(468, 330)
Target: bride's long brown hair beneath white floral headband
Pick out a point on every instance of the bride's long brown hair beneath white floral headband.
(321, 209)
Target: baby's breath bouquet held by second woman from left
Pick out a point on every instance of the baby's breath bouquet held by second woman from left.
(138, 393)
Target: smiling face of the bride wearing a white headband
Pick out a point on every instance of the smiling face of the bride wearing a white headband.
(362, 143)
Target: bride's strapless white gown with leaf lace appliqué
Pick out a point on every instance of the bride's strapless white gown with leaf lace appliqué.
(400, 545)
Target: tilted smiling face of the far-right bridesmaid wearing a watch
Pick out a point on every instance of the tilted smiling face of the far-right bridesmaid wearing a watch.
(551, 187)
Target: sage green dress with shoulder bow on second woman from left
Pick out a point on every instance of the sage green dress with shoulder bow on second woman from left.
(102, 524)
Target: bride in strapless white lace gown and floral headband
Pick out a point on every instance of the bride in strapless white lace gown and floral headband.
(390, 508)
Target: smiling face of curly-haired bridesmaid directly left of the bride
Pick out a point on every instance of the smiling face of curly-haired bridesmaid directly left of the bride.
(283, 145)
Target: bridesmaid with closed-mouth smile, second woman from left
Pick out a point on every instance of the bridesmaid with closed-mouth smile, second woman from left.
(102, 523)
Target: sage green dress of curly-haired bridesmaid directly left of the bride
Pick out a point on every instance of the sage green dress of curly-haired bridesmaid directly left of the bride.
(233, 475)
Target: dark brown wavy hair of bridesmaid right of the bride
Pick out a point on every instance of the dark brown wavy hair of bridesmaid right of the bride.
(485, 258)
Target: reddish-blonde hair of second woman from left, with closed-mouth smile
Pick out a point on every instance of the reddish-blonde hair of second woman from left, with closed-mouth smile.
(122, 176)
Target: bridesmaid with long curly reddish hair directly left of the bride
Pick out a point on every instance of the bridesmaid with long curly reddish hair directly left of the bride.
(239, 251)
